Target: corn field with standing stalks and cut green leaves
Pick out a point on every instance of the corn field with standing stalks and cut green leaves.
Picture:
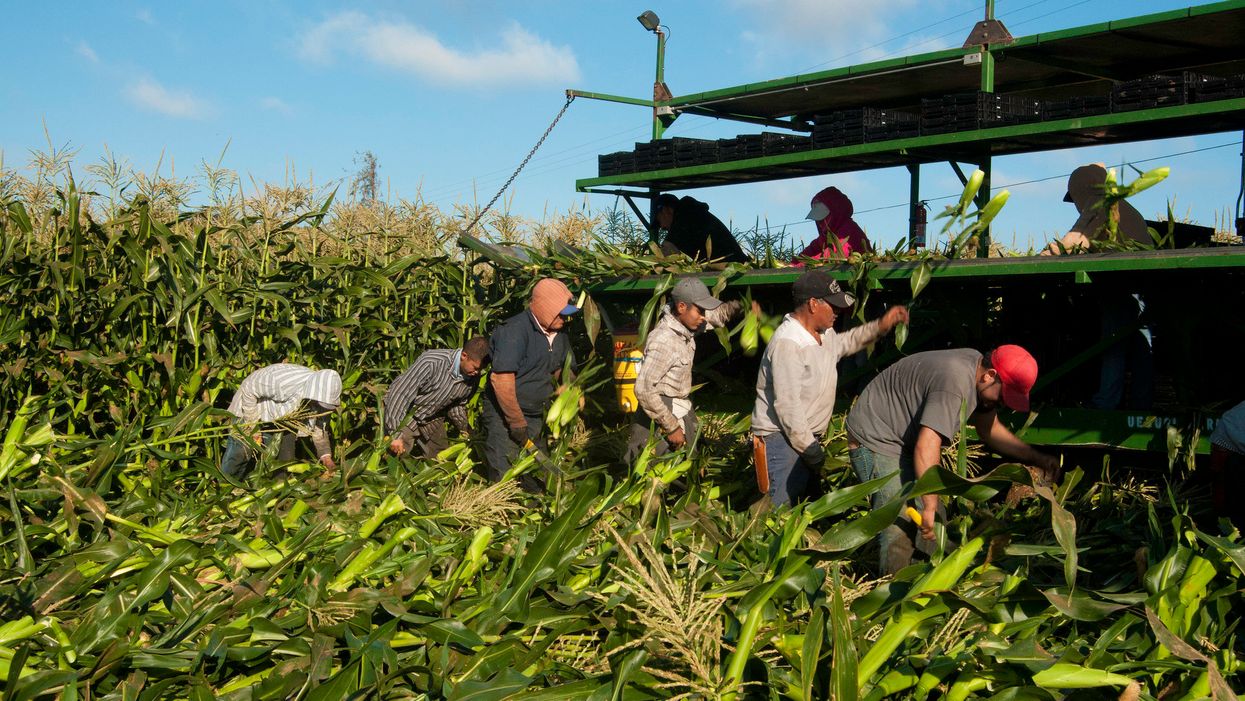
(133, 570)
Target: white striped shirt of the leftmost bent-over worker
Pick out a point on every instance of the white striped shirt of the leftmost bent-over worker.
(277, 392)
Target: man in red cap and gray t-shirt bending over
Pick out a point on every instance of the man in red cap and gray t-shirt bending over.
(908, 413)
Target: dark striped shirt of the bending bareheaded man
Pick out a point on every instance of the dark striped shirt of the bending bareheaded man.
(434, 387)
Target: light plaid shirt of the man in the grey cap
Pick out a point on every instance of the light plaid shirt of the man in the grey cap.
(667, 370)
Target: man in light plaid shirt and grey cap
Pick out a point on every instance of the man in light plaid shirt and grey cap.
(664, 383)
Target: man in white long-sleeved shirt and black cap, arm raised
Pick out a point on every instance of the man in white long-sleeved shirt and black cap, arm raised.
(797, 384)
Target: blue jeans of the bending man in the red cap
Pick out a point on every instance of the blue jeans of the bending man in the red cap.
(901, 540)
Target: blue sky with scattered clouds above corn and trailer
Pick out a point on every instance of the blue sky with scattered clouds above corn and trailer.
(451, 95)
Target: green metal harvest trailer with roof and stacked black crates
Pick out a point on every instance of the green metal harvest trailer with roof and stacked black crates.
(1195, 297)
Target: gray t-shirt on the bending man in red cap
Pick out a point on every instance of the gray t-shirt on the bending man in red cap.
(927, 389)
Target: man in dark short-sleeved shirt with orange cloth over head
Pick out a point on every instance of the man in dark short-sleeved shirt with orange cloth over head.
(529, 352)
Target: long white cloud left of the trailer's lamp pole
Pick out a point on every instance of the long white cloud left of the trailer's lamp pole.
(517, 58)
